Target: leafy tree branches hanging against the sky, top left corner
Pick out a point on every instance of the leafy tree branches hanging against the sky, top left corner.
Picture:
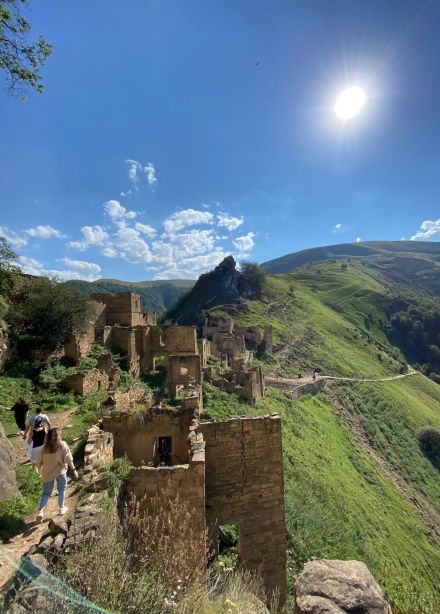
(20, 59)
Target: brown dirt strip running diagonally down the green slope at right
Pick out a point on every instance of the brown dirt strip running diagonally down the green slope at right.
(415, 498)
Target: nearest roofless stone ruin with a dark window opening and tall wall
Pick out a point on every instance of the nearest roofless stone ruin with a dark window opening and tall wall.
(227, 472)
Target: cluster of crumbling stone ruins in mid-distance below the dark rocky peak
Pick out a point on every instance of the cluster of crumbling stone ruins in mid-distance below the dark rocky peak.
(119, 324)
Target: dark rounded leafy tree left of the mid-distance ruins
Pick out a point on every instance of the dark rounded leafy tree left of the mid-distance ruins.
(49, 311)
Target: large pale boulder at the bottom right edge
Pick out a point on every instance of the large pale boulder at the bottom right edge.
(336, 587)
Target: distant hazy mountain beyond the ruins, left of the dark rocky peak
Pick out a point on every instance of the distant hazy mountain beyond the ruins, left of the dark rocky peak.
(155, 295)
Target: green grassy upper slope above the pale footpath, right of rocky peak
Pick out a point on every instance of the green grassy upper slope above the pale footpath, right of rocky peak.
(332, 322)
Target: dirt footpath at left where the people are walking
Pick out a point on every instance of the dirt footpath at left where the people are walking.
(11, 552)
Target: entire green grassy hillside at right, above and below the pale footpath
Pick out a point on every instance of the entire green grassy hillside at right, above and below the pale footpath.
(358, 485)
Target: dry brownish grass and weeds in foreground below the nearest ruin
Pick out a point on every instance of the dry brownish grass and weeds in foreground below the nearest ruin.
(154, 564)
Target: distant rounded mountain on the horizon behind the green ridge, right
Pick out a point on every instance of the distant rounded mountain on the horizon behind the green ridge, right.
(413, 264)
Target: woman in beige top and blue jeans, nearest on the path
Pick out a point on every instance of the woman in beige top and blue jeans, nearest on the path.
(52, 462)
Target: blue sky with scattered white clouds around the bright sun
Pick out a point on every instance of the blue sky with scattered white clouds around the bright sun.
(171, 133)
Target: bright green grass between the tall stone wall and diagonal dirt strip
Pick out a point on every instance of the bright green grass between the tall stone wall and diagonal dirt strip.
(339, 505)
